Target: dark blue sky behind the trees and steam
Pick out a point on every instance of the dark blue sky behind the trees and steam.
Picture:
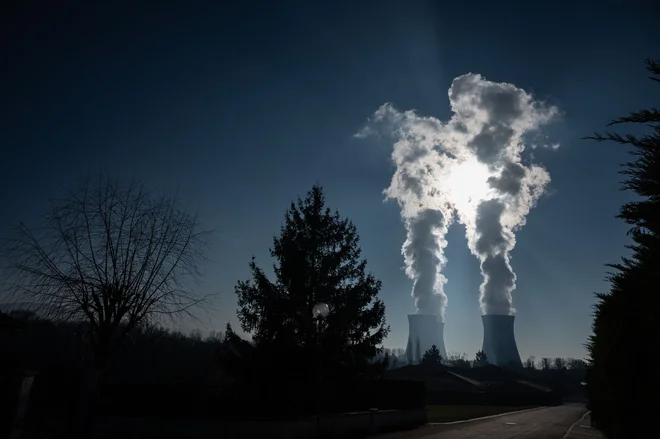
(243, 107)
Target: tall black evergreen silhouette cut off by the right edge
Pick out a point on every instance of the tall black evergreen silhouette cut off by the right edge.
(620, 391)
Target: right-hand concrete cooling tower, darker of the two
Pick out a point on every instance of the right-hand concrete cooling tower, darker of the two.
(499, 341)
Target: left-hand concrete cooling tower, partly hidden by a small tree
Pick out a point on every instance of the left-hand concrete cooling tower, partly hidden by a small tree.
(424, 331)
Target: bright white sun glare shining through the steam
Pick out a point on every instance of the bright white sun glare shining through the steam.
(468, 184)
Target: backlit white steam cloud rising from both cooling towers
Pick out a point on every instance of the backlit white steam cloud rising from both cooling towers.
(468, 168)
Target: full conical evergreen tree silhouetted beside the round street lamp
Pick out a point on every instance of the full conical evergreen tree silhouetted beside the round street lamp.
(318, 260)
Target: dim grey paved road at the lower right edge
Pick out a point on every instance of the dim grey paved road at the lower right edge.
(545, 423)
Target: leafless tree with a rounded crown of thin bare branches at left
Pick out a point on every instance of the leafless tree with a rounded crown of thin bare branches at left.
(112, 256)
